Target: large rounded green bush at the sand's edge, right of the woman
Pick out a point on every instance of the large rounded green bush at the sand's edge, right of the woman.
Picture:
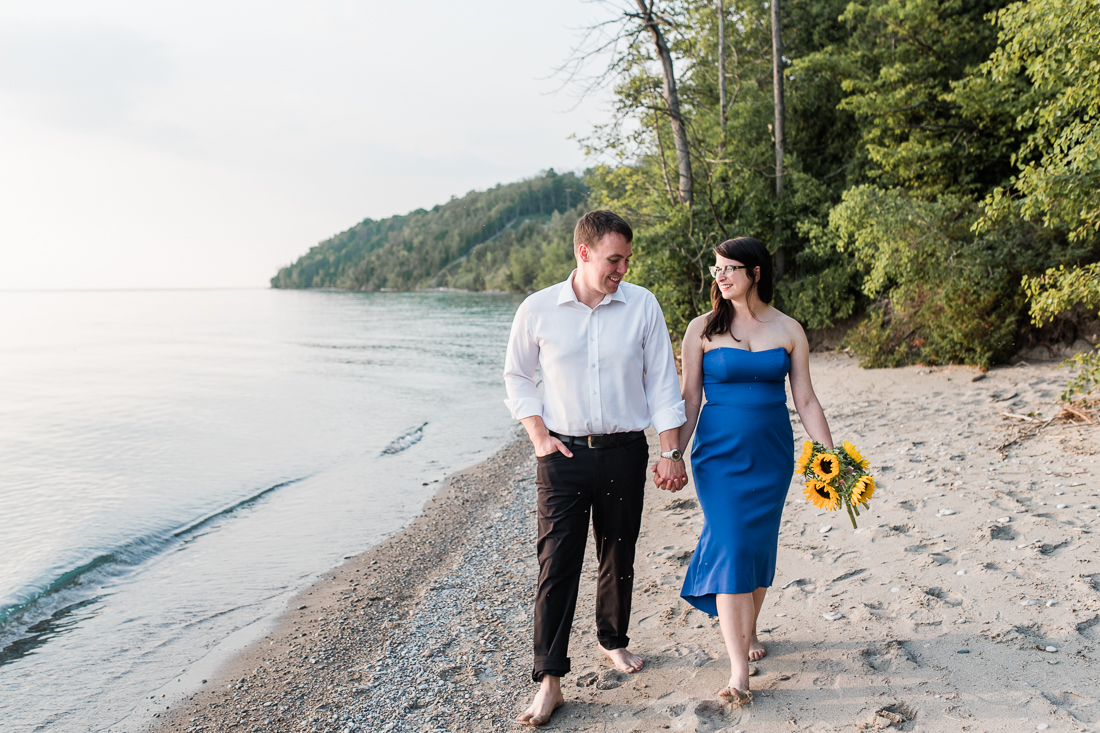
(945, 296)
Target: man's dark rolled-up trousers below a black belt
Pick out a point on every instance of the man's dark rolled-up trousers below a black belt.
(609, 484)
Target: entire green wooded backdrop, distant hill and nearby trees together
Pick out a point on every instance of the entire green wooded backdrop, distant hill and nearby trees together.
(929, 170)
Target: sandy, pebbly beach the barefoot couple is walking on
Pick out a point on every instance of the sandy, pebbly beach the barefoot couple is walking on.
(969, 599)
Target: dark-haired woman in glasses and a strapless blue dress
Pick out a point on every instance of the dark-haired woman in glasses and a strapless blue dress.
(744, 454)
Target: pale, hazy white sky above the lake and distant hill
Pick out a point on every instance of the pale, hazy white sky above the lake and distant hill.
(201, 144)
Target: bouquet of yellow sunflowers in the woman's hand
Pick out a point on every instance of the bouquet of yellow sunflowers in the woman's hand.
(835, 477)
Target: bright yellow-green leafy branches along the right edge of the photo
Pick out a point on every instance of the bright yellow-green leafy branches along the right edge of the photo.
(1055, 47)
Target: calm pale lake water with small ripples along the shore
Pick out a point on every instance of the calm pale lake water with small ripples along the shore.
(175, 465)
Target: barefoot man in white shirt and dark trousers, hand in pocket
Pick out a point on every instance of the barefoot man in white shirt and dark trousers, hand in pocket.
(609, 373)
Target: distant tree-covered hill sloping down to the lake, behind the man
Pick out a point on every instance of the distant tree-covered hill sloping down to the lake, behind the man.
(468, 243)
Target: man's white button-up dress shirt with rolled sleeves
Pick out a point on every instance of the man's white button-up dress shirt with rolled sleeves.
(608, 369)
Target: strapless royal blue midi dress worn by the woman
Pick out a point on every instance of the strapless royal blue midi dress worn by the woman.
(743, 460)
